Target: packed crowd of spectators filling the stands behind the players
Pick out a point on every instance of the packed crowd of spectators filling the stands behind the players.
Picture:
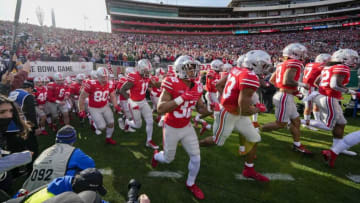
(56, 44)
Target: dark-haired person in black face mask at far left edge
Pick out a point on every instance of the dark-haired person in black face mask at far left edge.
(9, 114)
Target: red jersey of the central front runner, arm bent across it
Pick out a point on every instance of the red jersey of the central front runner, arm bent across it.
(181, 116)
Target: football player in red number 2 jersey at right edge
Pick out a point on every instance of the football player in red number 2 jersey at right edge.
(334, 78)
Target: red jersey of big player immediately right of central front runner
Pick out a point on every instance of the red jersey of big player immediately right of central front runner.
(239, 79)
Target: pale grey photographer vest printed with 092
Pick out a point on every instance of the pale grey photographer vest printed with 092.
(52, 163)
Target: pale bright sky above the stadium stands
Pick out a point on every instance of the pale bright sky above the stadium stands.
(78, 14)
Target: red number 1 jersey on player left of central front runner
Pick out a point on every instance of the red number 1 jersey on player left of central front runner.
(138, 90)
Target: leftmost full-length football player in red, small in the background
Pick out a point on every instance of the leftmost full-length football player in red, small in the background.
(40, 96)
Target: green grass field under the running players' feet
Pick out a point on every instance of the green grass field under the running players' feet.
(314, 181)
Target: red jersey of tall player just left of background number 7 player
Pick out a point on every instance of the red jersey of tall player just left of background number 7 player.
(282, 68)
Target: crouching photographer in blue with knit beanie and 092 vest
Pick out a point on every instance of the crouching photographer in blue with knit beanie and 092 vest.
(58, 160)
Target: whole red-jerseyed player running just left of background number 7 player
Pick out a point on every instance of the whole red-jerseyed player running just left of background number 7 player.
(286, 78)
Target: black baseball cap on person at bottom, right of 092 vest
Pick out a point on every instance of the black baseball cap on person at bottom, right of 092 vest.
(89, 179)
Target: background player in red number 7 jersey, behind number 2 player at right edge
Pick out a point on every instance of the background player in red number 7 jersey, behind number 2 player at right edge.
(311, 74)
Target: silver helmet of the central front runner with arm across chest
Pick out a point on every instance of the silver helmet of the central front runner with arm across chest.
(185, 63)
